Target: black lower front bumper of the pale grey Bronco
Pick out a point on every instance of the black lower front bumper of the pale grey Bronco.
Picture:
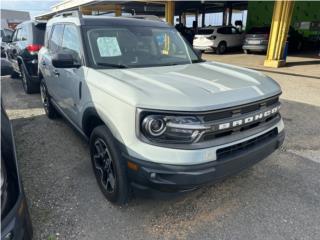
(157, 177)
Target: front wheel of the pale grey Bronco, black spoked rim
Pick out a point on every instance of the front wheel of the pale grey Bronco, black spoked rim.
(108, 166)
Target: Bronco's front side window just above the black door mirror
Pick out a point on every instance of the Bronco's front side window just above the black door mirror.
(71, 40)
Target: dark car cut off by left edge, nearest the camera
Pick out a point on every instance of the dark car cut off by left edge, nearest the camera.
(15, 218)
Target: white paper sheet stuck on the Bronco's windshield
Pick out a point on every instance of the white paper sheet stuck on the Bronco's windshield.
(108, 47)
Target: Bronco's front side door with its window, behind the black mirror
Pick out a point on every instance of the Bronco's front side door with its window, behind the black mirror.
(70, 79)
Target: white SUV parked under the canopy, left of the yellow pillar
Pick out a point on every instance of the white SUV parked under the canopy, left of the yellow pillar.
(218, 39)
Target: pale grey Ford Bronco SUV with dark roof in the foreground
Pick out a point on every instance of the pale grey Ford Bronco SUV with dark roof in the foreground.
(157, 117)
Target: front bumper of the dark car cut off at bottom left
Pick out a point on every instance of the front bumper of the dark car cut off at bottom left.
(16, 225)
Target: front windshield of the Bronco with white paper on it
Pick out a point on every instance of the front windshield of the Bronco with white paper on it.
(131, 46)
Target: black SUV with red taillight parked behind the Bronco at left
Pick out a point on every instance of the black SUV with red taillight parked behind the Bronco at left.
(23, 53)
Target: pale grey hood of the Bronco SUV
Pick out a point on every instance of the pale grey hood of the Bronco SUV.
(191, 87)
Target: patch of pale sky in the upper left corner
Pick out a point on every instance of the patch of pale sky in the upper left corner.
(35, 7)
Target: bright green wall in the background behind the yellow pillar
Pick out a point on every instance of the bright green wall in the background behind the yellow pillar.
(260, 13)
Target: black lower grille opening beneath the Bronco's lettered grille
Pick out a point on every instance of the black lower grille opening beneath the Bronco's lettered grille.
(236, 149)
